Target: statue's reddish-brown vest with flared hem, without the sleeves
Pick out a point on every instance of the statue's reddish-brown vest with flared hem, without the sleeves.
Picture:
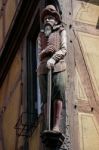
(55, 40)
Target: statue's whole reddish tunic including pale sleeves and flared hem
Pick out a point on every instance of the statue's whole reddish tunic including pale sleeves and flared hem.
(55, 47)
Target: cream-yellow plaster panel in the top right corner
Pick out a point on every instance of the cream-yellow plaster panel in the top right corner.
(88, 12)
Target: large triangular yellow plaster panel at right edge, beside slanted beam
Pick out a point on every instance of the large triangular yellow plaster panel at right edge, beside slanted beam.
(90, 44)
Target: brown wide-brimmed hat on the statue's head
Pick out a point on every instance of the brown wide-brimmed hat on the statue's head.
(50, 10)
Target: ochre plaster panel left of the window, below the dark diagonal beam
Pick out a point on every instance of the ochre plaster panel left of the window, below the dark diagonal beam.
(10, 94)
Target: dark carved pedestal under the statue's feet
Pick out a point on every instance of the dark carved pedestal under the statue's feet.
(52, 139)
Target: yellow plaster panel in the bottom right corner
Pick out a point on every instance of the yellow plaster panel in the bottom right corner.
(89, 132)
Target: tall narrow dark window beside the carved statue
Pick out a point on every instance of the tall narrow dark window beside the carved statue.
(33, 96)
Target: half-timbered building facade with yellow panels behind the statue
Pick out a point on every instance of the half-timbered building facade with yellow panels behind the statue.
(20, 106)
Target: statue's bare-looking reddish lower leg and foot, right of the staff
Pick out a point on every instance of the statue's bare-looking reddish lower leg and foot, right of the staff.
(57, 115)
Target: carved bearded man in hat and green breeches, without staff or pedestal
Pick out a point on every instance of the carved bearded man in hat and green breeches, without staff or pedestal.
(53, 48)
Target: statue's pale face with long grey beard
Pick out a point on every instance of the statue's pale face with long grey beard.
(49, 22)
